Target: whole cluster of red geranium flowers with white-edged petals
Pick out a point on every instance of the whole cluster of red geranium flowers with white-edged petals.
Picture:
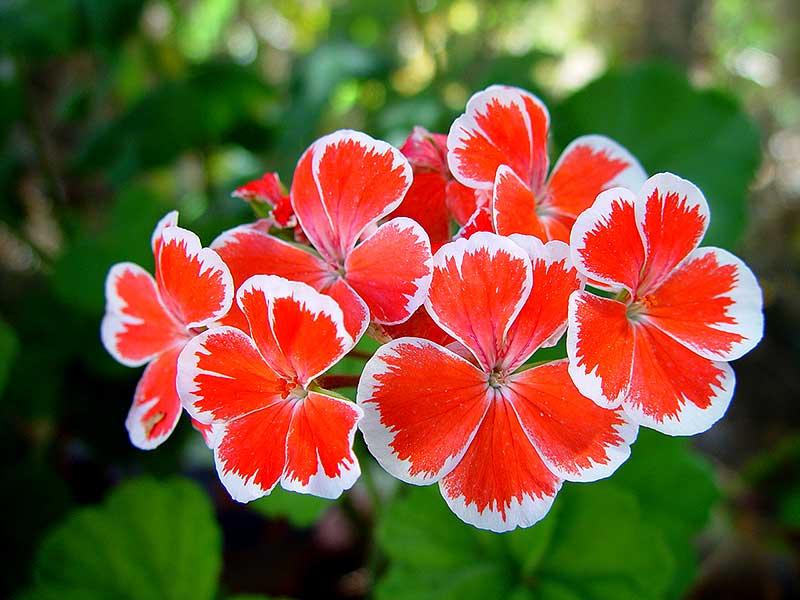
(463, 257)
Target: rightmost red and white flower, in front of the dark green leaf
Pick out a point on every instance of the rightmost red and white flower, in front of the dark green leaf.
(660, 348)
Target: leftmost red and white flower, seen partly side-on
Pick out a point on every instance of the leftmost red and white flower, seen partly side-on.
(150, 320)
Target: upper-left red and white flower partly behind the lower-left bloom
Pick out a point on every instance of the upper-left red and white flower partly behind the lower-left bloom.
(343, 185)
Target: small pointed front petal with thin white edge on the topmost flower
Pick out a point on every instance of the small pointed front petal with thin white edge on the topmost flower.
(514, 206)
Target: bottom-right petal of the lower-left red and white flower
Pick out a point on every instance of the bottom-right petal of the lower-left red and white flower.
(319, 447)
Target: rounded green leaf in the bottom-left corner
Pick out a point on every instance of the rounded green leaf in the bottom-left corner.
(148, 540)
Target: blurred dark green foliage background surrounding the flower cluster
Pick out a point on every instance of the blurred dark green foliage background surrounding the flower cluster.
(113, 113)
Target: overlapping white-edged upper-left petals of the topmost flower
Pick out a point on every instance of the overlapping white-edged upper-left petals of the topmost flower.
(501, 126)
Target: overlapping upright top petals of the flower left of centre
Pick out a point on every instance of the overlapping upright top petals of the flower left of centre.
(359, 180)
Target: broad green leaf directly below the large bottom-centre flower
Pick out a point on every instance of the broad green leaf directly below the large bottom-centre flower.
(594, 545)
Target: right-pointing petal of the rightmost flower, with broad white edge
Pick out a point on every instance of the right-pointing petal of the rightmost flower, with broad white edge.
(711, 304)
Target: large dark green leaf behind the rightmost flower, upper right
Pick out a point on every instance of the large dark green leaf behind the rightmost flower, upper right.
(701, 135)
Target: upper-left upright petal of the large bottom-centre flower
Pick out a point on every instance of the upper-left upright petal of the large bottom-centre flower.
(479, 286)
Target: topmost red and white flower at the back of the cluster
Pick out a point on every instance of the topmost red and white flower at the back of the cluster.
(500, 145)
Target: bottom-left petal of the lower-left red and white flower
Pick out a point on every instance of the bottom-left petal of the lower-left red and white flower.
(251, 452)
